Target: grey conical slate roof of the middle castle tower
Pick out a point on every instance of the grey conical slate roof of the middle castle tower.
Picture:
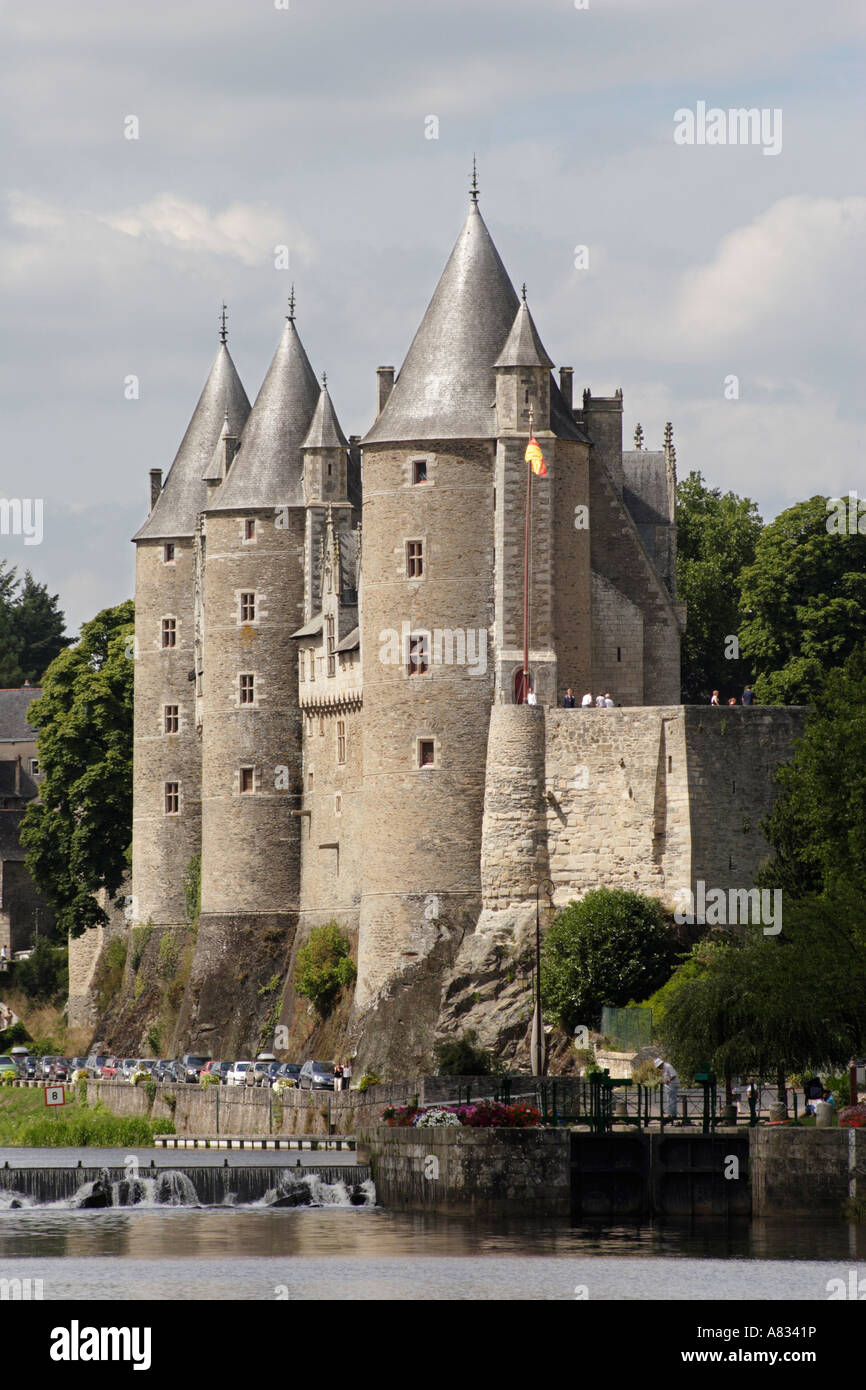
(268, 471)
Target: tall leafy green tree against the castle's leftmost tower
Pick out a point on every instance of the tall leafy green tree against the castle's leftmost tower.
(77, 835)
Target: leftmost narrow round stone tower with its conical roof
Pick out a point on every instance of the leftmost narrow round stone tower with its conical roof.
(168, 758)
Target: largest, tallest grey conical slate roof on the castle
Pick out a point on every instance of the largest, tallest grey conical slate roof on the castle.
(447, 386)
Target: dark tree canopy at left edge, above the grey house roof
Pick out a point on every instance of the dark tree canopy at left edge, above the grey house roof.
(31, 629)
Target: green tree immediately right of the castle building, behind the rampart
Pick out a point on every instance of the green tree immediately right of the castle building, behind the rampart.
(717, 537)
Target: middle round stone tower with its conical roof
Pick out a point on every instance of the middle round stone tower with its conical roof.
(254, 601)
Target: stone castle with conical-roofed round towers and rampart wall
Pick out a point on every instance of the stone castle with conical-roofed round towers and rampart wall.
(329, 654)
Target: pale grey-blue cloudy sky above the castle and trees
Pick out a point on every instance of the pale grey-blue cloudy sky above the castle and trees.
(308, 126)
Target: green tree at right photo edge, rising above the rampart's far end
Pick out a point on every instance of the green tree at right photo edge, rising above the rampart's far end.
(804, 601)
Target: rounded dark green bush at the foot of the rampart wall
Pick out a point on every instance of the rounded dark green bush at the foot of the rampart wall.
(612, 947)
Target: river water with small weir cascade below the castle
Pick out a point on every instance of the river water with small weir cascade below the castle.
(336, 1250)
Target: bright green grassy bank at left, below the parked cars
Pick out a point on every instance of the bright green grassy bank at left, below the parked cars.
(26, 1122)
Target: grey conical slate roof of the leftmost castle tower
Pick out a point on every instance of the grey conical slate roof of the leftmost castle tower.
(183, 498)
